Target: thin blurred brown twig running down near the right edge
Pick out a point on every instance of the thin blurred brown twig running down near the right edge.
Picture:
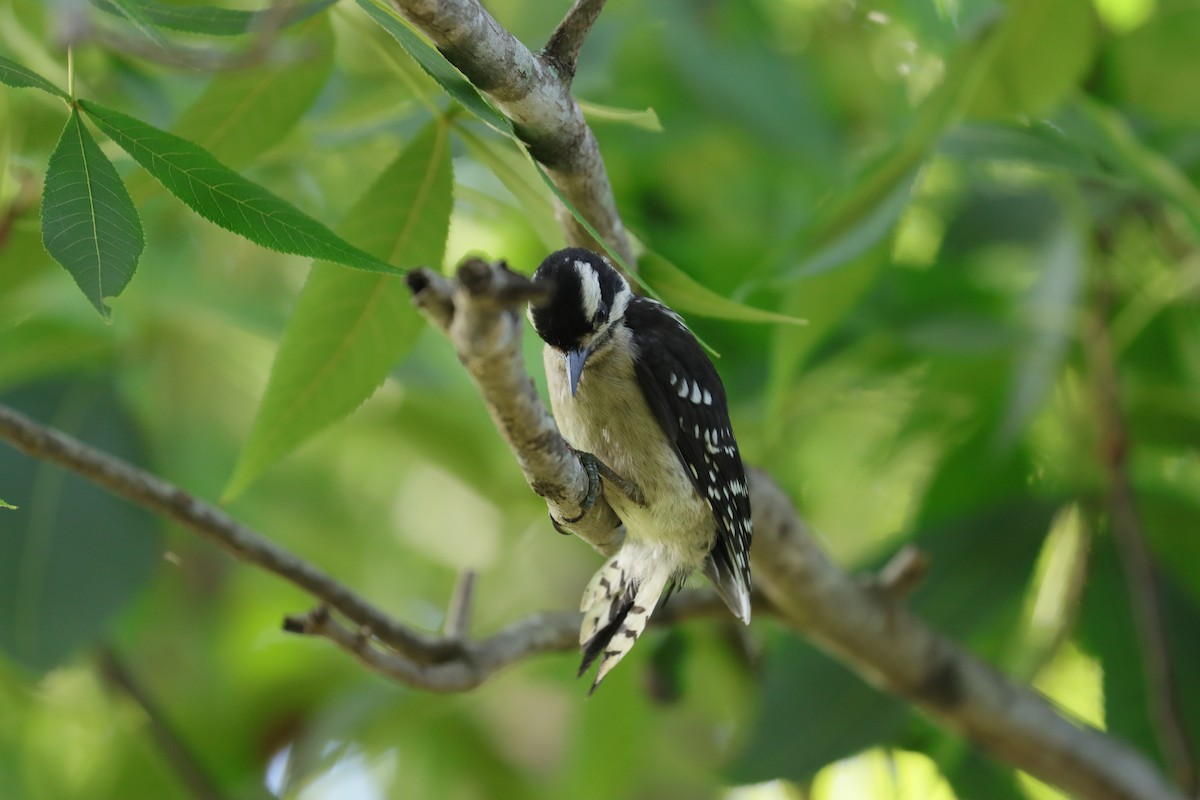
(1142, 578)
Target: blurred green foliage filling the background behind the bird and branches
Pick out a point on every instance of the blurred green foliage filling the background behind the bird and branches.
(959, 196)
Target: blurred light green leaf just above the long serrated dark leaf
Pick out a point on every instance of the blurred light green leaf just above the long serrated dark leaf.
(244, 112)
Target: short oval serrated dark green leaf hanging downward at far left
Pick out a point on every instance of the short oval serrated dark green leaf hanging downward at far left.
(89, 224)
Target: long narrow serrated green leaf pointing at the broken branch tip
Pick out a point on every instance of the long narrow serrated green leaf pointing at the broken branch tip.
(226, 199)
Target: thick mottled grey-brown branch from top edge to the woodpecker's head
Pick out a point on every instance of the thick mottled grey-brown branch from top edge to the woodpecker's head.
(536, 95)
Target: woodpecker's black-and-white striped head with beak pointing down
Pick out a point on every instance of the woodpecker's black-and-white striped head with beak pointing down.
(590, 297)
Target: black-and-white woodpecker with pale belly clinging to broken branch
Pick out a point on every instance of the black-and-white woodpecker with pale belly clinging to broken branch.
(633, 389)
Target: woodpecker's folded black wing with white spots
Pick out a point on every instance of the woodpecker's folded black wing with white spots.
(687, 396)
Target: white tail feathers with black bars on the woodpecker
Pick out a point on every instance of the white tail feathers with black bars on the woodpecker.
(616, 607)
